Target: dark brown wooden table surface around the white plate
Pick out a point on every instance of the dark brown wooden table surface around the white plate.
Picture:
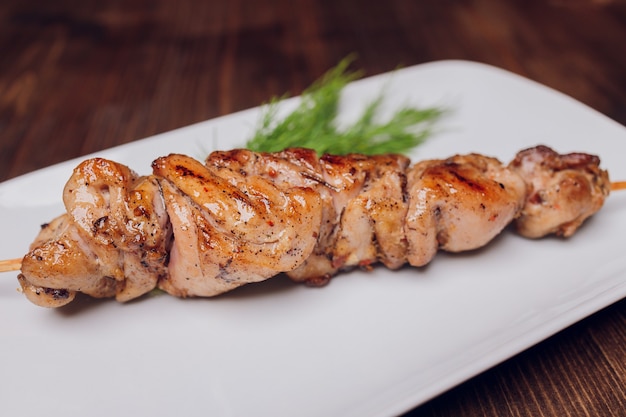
(80, 76)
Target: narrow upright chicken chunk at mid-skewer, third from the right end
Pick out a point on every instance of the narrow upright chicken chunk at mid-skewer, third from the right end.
(369, 195)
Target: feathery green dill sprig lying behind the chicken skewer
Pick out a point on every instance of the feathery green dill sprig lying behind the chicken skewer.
(313, 123)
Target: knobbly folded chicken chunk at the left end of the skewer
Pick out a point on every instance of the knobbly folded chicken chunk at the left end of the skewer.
(112, 241)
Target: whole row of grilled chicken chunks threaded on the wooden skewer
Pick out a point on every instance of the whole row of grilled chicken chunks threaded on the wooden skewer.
(202, 229)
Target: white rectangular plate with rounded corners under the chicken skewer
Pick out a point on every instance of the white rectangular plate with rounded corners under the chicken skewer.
(369, 344)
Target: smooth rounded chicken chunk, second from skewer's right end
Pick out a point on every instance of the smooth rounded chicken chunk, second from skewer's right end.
(459, 204)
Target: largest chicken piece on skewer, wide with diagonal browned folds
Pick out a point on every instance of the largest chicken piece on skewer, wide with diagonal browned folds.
(232, 227)
